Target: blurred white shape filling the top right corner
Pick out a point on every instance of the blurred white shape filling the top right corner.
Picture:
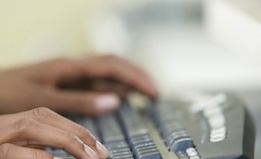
(235, 25)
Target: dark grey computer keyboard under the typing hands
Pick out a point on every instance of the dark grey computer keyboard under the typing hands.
(197, 126)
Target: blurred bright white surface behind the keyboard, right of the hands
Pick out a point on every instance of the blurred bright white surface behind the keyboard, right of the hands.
(188, 58)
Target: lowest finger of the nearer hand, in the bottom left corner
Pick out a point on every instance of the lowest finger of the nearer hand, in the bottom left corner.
(10, 151)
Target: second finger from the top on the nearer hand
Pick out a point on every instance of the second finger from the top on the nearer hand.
(31, 132)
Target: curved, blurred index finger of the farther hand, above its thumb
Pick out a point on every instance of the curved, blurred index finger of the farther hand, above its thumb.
(120, 70)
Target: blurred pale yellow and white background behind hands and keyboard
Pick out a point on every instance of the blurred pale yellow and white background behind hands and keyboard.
(182, 44)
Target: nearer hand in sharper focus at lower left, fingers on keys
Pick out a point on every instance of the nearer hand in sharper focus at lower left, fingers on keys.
(43, 127)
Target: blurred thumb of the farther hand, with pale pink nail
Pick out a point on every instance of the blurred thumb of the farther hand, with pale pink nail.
(87, 103)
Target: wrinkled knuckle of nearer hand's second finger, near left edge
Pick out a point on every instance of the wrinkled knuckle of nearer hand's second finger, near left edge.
(24, 125)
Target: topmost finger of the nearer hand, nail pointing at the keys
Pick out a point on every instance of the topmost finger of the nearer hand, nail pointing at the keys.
(47, 116)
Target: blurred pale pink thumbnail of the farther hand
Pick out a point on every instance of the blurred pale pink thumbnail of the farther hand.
(106, 102)
